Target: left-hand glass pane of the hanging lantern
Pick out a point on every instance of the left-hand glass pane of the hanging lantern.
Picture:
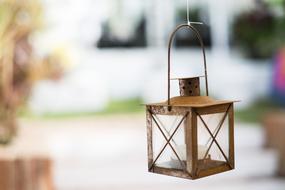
(169, 157)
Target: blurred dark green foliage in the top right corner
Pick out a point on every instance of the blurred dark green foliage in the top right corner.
(260, 32)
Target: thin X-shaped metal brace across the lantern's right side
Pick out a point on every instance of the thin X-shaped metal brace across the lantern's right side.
(215, 135)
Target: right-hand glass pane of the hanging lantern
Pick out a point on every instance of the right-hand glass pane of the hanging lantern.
(213, 140)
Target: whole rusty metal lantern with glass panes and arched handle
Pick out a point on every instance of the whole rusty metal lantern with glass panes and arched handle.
(190, 136)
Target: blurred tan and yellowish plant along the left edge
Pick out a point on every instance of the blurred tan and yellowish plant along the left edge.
(19, 19)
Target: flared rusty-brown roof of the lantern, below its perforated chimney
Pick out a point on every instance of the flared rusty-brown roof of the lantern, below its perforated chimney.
(192, 101)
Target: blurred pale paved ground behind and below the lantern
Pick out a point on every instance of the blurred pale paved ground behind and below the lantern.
(110, 153)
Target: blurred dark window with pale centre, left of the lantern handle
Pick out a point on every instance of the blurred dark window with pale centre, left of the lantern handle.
(125, 26)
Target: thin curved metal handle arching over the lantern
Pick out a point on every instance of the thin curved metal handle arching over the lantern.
(169, 56)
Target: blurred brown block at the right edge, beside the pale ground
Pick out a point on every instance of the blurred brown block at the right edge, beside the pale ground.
(274, 135)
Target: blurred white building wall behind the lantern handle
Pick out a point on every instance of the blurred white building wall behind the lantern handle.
(96, 76)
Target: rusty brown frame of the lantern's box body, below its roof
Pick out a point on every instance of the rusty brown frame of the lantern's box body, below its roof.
(193, 168)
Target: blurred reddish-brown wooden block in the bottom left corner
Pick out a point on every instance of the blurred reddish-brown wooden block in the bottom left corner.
(25, 174)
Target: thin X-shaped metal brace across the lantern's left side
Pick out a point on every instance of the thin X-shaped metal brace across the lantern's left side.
(168, 141)
